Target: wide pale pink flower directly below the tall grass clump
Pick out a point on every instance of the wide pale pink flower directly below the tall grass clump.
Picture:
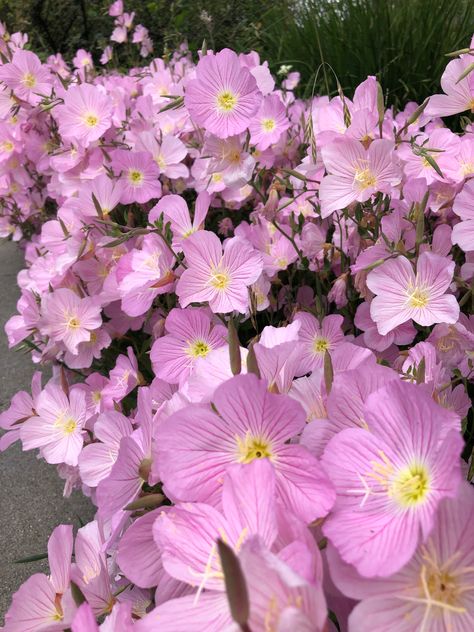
(356, 173)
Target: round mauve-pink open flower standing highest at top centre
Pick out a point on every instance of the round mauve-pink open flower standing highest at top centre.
(224, 96)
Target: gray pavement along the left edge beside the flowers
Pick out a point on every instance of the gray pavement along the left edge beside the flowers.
(31, 500)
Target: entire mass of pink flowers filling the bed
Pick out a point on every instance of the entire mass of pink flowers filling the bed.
(257, 310)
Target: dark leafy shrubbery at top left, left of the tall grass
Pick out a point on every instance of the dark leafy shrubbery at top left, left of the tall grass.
(67, 25)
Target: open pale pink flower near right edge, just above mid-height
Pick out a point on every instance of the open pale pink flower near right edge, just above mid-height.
(401, 295)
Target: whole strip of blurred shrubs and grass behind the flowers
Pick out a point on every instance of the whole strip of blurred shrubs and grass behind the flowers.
(402, 42)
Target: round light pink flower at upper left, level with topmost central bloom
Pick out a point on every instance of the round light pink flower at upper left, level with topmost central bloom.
(85, 115)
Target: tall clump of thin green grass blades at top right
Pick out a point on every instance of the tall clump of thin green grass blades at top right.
(402, 42)
